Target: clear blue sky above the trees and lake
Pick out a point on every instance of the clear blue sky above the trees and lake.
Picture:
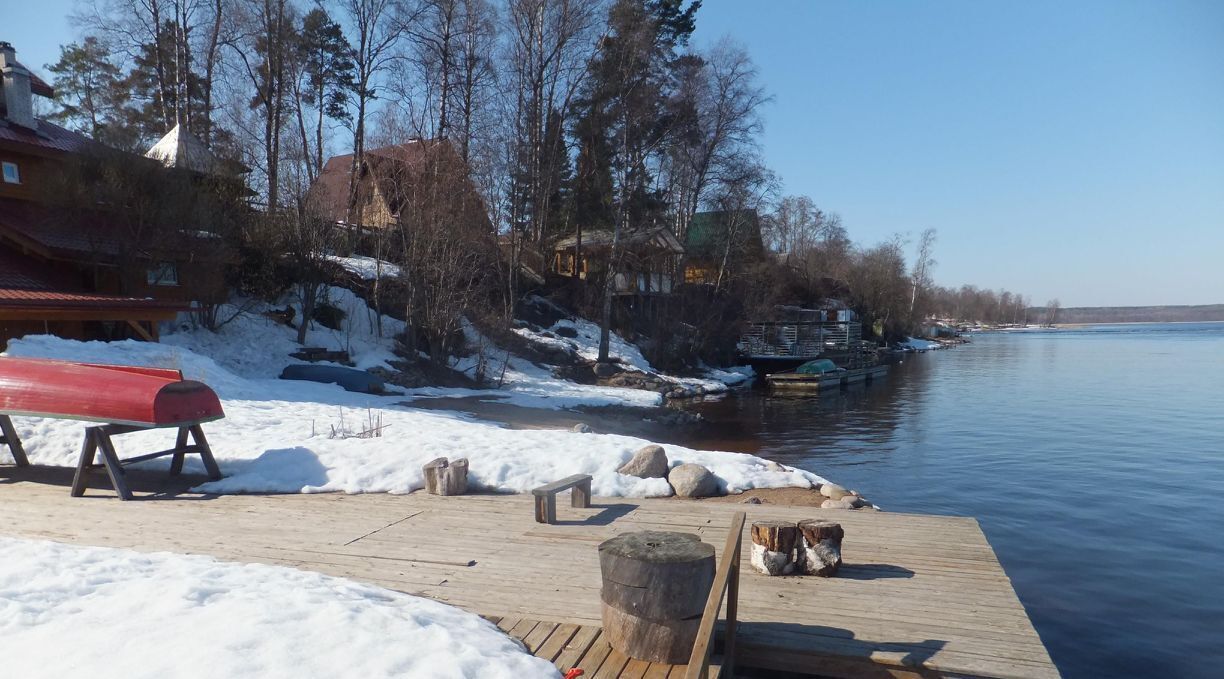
(1068, 150)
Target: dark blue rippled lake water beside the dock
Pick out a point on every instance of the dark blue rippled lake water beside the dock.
(1094, 459)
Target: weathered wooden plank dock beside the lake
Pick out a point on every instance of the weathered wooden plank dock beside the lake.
(920, 596)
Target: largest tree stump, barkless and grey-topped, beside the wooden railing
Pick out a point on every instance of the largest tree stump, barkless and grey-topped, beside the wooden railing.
(655, 588)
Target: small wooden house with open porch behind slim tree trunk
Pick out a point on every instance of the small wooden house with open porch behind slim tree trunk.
(649, 259)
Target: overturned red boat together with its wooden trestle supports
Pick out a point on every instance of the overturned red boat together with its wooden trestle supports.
(124, 399)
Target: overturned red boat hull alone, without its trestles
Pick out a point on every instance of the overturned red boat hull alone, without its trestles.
(118, 395)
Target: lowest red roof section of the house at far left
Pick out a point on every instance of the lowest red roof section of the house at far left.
(26, 283)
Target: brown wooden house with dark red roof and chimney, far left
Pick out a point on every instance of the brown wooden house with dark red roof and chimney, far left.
(72, 272)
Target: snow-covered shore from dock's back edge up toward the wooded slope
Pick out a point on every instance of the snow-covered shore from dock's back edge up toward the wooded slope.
(278, 436)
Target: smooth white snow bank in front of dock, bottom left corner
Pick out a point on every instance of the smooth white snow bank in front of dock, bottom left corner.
(64, 607)
